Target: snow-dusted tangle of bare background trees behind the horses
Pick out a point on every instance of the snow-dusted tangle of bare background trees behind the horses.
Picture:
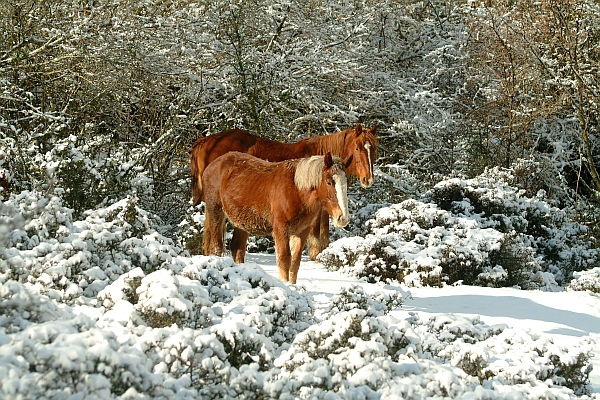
(100, 99)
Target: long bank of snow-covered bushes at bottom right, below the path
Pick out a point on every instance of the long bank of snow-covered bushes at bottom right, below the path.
(352, 355)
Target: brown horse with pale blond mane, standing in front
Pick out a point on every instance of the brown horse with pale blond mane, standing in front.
(283, 199)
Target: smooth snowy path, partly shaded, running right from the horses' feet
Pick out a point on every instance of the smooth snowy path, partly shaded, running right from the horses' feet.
(566, 316)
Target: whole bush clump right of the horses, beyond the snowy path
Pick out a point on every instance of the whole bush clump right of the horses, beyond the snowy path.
(479, 231)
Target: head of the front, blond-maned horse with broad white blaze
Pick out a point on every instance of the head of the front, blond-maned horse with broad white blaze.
(333, 191)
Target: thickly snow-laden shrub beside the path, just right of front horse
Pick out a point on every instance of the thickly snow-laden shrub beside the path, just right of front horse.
(416, 243)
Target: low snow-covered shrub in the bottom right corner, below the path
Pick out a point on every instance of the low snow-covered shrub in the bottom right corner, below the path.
(481, 351)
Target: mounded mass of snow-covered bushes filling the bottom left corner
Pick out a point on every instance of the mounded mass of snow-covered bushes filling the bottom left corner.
(188, 326)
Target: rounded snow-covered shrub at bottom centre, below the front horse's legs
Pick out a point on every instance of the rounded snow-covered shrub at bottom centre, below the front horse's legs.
(349, 348)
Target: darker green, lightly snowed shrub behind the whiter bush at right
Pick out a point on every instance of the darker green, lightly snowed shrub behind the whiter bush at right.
(562, 244)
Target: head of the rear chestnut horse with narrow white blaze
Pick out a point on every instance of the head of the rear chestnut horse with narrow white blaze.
(362, 145)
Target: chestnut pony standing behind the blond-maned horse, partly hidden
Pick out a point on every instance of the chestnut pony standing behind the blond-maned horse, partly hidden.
(359, 143)
